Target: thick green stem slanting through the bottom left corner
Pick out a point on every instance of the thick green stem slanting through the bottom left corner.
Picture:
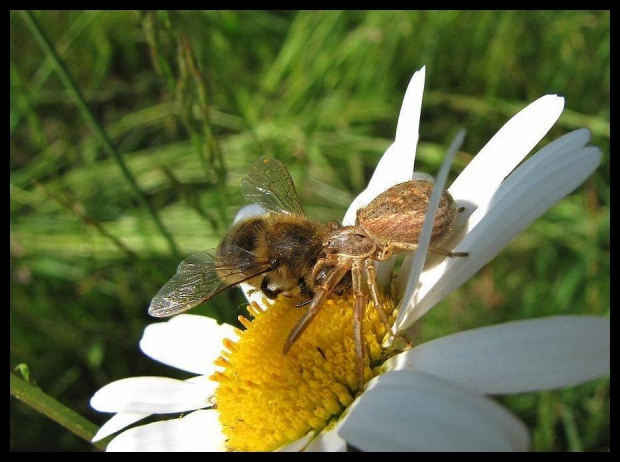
(58, 412)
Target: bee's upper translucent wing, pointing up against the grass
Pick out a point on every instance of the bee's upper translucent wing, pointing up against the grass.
(270, 185)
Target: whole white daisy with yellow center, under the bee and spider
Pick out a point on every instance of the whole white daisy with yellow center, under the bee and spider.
(432, 396)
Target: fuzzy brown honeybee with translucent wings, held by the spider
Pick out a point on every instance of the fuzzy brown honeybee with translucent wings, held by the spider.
(274, 253)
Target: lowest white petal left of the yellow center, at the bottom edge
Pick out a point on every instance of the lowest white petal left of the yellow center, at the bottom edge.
(198, 431)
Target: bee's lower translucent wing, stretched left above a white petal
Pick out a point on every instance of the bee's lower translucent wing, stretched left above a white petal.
(200, 277)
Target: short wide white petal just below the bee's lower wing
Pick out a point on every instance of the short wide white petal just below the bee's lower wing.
(187, 342)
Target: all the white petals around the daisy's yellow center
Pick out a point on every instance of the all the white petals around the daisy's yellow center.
(433, 396)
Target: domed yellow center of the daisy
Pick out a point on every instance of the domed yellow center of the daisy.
(266, 399)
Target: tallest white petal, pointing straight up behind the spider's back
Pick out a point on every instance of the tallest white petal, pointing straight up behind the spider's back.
(396, 165)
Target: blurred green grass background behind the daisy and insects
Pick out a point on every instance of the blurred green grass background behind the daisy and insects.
(187, 100)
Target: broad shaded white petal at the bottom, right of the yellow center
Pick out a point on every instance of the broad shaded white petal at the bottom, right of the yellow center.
(409, 411)
